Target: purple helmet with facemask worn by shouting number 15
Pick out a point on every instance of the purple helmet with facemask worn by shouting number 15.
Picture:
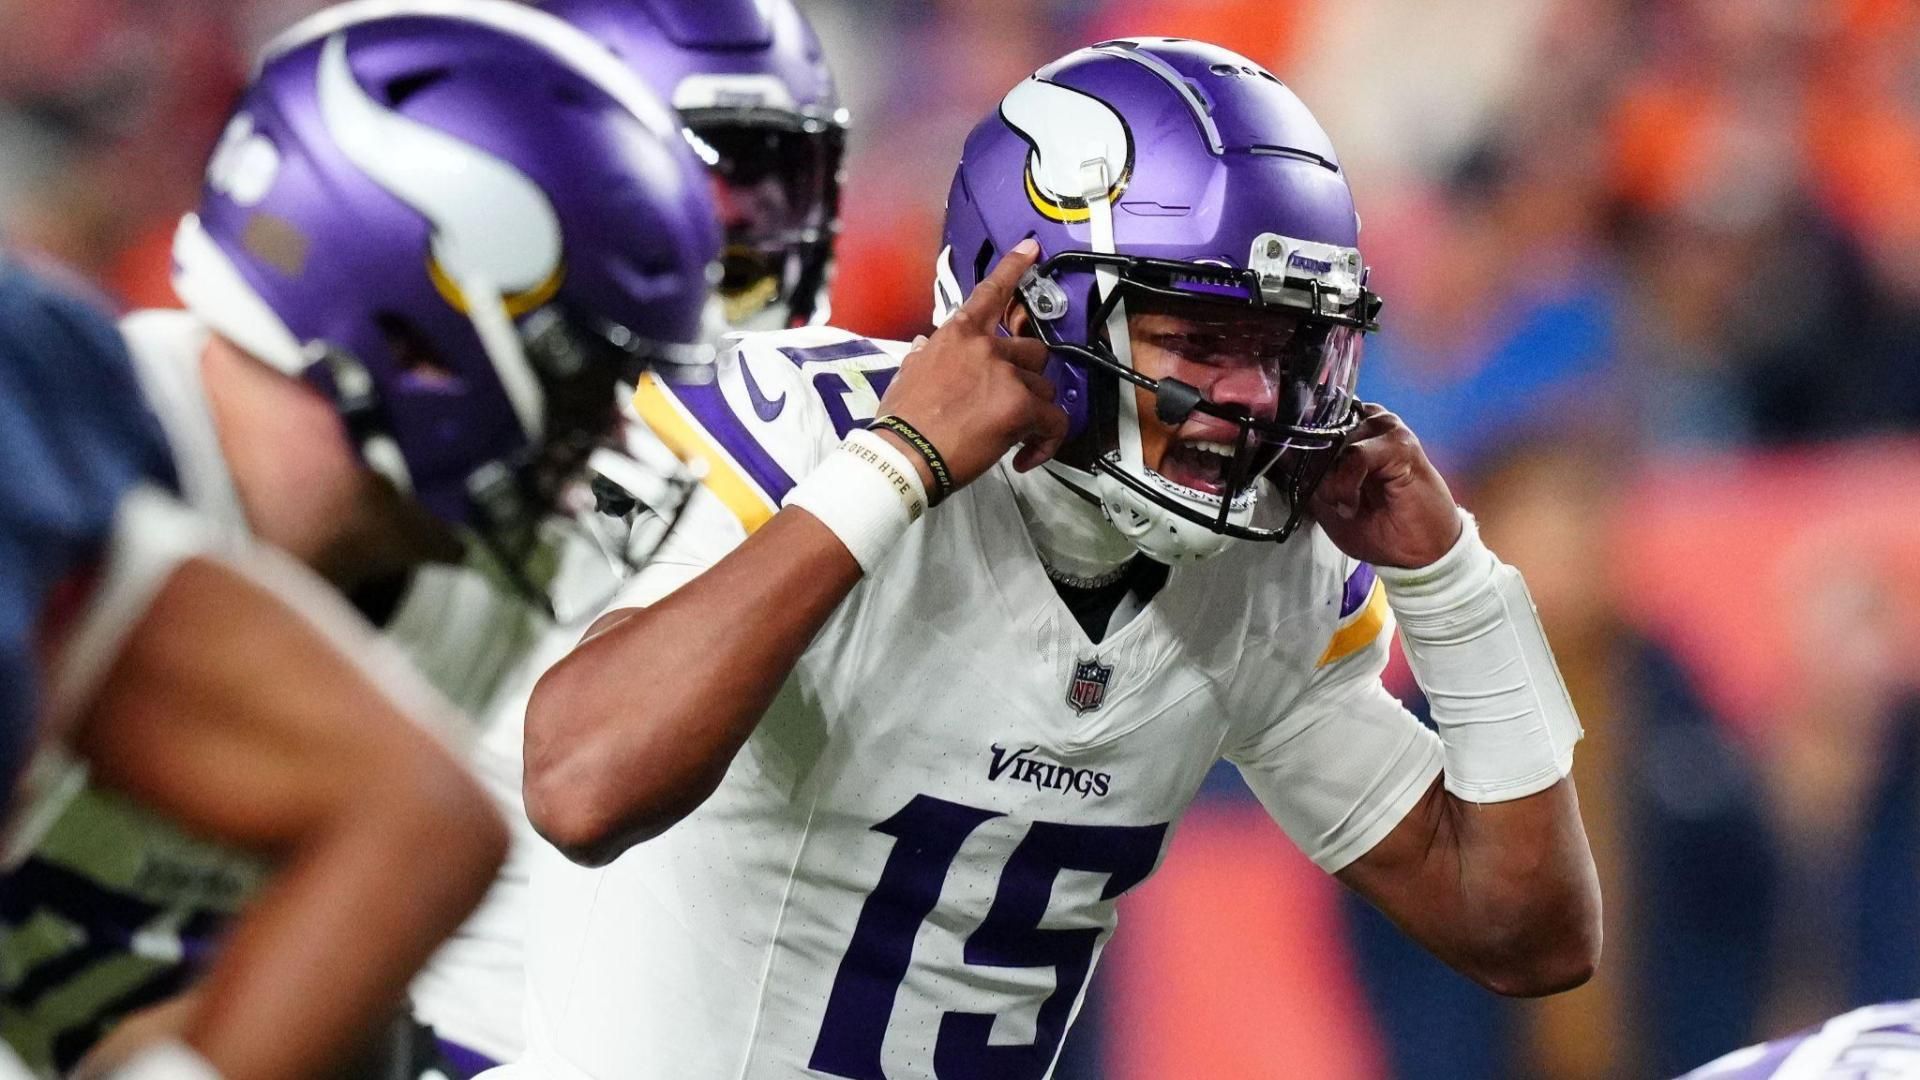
(1168, 174)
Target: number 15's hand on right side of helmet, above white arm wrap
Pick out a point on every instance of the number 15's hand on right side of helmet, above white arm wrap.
(1383, 503)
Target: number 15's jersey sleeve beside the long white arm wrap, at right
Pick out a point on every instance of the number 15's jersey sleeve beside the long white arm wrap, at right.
(1341, 766)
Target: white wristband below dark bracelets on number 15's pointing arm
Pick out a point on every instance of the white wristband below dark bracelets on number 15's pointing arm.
(867, 493)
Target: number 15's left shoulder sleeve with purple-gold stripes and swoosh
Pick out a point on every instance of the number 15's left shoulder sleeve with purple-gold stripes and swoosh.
(777, 406)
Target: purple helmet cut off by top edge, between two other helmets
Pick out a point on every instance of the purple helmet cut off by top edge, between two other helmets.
(752, 84)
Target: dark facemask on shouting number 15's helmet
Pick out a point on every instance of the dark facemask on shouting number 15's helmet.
(1297, 333)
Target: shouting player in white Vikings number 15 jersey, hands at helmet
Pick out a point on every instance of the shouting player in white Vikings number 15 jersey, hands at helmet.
(855, 793)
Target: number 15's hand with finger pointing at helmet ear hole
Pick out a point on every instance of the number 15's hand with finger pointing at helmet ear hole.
(976, 393)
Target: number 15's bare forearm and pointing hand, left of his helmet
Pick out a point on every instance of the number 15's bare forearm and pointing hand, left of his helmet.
(640, 724)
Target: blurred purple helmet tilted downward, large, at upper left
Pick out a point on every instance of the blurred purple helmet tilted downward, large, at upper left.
(481, 220)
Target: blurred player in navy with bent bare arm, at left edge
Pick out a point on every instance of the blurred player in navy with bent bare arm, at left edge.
(220, 689)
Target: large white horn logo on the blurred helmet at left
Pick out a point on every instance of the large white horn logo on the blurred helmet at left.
(491, 220)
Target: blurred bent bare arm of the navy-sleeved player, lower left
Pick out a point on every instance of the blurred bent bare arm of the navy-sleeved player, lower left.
(229, 706)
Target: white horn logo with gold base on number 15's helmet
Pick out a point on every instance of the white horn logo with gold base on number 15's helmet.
(1067, 130)
